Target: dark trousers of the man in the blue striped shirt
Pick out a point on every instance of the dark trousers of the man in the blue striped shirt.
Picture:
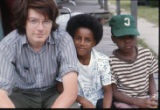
(33, 99)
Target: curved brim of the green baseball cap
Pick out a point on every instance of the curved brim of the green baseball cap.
(124, 32)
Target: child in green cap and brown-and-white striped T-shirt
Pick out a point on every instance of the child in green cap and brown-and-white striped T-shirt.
(132, 66)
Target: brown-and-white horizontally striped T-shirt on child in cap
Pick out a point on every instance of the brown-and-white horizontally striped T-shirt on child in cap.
(133, 78)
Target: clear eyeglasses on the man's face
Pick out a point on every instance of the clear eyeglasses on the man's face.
(35, 22)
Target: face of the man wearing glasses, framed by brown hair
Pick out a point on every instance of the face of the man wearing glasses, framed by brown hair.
(38, 27)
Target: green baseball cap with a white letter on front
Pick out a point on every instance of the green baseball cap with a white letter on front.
(122, 25)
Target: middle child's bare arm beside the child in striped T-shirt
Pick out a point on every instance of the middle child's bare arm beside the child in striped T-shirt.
(107, 100)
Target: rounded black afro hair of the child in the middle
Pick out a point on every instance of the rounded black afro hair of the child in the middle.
(87, 21)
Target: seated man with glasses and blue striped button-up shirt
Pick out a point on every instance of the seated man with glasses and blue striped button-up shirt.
(32, 55)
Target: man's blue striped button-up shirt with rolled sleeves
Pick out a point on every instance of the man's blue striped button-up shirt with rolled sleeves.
(22, 67)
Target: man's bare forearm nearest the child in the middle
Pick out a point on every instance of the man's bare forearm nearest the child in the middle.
(69, 94)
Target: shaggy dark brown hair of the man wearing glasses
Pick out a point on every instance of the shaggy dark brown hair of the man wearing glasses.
(20, 10)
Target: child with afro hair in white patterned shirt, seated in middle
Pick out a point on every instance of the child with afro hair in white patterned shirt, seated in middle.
(94, 77)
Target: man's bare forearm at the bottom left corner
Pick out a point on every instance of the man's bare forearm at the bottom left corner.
(5, 102)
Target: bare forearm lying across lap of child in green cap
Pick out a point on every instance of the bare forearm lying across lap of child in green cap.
(141, 103)
